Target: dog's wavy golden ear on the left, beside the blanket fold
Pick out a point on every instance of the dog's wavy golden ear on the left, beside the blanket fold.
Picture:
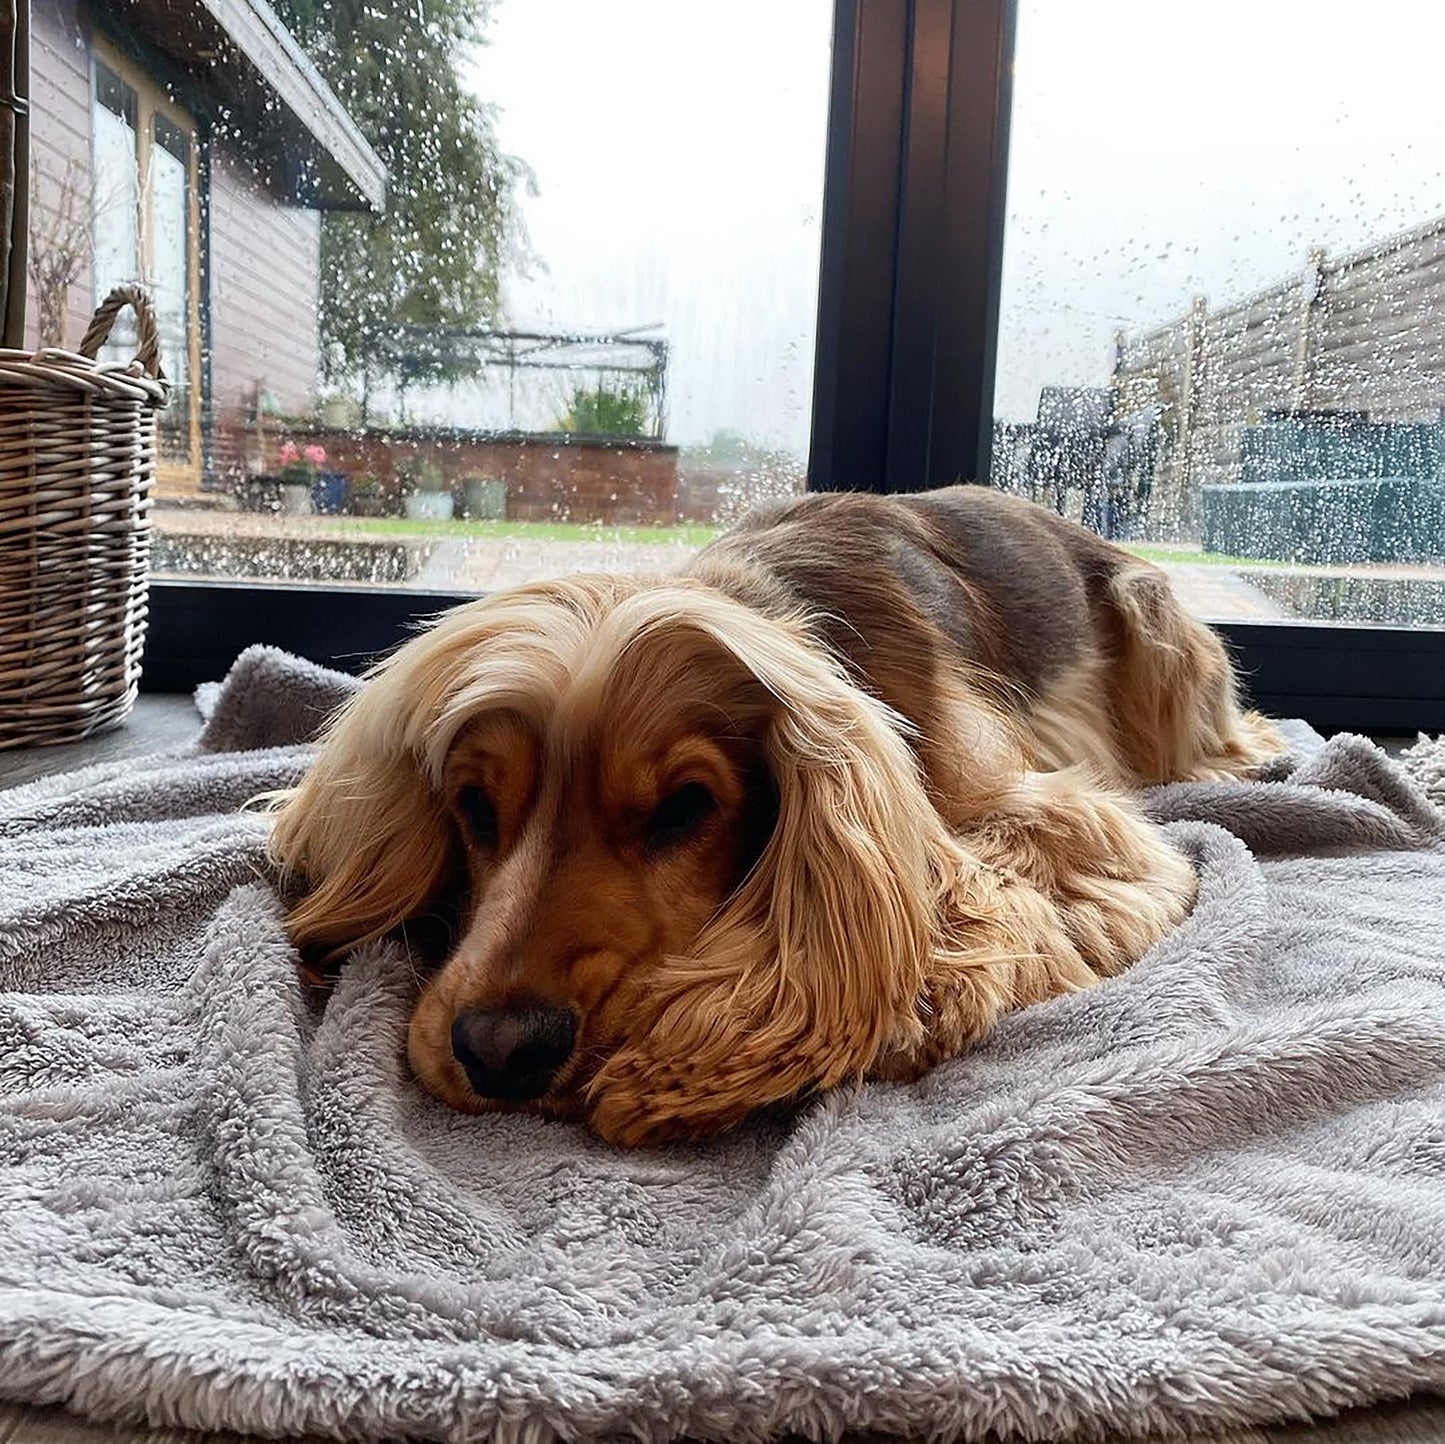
(365, 835)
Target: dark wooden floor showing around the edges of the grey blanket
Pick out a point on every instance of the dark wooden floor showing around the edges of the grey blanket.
(164, 723)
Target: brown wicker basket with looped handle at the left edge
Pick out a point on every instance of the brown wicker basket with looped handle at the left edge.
(77, 460)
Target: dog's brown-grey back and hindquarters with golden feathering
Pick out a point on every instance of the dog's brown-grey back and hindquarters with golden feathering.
(1083, 644)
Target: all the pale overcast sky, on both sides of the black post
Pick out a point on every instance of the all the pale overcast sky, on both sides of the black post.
(1161, 151)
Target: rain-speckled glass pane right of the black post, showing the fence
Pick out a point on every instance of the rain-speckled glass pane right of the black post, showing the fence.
(1222, 327)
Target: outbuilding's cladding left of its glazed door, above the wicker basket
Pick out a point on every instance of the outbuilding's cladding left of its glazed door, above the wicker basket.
(61, 151)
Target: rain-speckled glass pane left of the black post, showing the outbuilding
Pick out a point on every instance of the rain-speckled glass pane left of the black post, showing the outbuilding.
(579, 333)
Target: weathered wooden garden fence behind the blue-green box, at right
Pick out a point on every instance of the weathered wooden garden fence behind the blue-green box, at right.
(1365, 333)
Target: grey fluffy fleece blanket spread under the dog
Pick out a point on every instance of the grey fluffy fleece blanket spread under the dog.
(1210, 1192)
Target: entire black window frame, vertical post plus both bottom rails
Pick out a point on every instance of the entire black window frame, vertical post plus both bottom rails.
(908, 313)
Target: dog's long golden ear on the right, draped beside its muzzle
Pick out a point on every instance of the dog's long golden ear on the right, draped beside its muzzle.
(819, 960)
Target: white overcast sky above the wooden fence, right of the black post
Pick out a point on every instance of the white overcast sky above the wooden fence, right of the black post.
(1164, 151)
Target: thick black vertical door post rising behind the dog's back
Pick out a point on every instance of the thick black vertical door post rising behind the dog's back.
(913, 244)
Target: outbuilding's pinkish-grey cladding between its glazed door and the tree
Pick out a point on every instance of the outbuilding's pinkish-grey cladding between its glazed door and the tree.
(265, 288)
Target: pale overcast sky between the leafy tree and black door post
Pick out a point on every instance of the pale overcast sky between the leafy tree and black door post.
(678, 152)
